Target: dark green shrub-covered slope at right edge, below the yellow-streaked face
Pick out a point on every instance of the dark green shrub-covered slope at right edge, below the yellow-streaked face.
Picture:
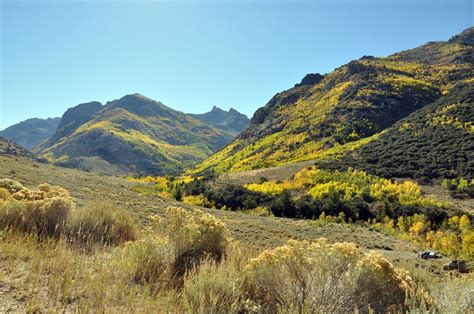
(435, 141)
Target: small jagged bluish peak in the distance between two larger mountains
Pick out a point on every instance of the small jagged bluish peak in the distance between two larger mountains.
(231, 121)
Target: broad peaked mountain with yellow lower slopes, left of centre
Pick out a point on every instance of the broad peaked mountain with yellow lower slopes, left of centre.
(133, 134)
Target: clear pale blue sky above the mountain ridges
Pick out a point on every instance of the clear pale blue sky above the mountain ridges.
(192, 55)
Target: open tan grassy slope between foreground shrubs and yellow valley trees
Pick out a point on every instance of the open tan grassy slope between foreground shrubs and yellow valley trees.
(261, 232)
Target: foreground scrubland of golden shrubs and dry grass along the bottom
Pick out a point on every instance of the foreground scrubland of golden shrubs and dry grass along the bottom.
(56, 256)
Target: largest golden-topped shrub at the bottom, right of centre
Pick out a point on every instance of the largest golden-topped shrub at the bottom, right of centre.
(322, 277)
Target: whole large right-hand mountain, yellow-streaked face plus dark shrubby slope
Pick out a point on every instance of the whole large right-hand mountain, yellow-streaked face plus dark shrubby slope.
(326, 118)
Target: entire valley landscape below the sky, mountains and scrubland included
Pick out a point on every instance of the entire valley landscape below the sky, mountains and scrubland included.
(350, 191)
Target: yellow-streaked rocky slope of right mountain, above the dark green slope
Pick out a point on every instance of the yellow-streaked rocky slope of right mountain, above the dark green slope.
(325, 117)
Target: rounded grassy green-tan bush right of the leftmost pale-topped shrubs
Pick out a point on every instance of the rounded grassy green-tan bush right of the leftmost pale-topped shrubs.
(102, 223)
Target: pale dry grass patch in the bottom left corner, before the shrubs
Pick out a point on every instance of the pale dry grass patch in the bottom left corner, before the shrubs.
(51, 276)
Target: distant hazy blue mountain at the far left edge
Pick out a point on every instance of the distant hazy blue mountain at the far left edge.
(31, 132)
